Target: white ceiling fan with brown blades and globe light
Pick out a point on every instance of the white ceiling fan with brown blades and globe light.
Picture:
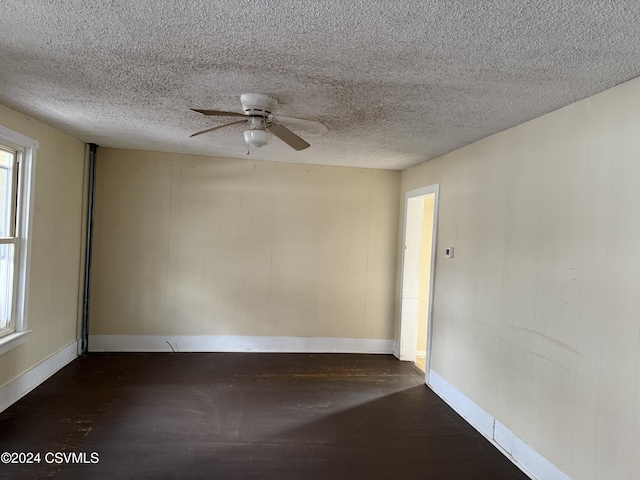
(262, 122)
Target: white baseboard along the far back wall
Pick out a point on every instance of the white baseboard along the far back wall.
(236, 343)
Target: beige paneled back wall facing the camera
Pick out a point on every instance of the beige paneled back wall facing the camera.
(190, 245)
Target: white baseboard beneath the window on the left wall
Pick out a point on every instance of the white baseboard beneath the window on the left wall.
(19, 387)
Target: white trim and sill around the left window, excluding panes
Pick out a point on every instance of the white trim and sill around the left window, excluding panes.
(27, 179)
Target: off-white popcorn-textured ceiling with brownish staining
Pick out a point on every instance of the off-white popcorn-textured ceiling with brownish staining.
(397, 82)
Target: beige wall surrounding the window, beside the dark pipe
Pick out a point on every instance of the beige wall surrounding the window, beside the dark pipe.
(54, 285)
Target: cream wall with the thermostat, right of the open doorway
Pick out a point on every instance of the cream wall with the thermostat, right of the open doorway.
(537, 318)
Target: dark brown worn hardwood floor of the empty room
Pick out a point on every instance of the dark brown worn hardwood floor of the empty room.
(237, 416)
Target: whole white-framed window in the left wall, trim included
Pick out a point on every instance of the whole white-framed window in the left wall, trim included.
(17, 162)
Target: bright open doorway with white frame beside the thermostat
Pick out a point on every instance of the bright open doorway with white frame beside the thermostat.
(418, 269)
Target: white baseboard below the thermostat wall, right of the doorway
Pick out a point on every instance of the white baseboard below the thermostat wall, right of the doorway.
(513, 447)
